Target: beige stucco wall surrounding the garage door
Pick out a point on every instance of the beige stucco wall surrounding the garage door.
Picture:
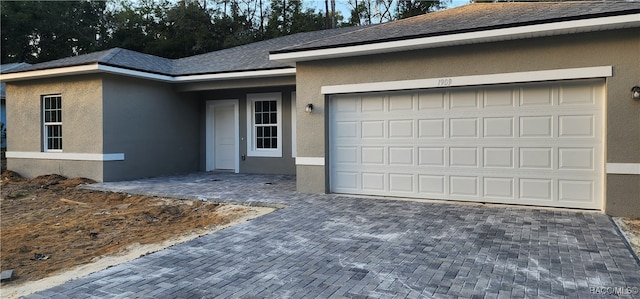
(618, 48)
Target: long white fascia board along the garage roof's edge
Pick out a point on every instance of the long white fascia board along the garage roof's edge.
(521, 32)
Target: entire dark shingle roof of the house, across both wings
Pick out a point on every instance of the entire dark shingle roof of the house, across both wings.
(255, 56)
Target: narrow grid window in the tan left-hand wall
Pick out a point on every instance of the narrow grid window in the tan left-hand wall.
(52, 123)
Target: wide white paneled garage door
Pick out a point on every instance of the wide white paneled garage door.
(531, 144)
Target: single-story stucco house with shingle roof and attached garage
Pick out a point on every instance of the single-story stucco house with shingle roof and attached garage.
(517, 103)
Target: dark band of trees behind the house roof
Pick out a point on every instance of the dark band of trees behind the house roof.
(38, 31)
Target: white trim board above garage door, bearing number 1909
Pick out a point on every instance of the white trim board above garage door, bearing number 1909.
(516, 77)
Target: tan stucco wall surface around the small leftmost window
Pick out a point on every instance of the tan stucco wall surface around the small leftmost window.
(81, 121)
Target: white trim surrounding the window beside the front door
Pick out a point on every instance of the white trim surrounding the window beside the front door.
(251, 150)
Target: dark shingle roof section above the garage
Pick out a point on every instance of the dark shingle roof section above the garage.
(471, 18)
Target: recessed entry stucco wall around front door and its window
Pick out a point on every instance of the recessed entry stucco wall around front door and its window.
(268, 165)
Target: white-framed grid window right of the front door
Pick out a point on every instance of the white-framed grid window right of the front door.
(264, 125)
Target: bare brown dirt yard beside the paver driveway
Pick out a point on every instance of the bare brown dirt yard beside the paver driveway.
(49, 226)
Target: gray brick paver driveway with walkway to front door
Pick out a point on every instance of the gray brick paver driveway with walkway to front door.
(330, 246)
